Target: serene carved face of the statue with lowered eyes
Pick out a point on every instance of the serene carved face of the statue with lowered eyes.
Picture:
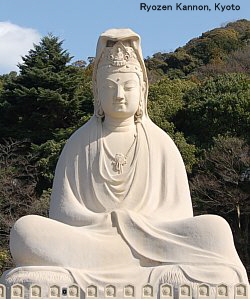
(119, 94)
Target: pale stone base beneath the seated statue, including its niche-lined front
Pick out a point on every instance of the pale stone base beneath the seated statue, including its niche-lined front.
(57, 282)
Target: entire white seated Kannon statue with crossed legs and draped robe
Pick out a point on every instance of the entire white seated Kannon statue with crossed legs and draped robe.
(120, 209)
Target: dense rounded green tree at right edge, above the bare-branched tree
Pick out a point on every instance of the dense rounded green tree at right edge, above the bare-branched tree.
(219, 105)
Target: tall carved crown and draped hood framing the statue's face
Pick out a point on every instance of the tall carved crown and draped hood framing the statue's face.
(119, 50)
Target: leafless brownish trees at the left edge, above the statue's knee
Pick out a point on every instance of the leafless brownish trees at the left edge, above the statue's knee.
(18, 196)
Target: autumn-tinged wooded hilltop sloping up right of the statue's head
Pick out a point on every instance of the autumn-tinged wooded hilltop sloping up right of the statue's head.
(212, 47)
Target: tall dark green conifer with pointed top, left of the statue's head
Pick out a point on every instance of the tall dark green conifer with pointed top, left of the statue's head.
(48, 94)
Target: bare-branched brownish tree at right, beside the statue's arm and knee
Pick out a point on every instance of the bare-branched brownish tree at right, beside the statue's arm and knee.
(220, 186)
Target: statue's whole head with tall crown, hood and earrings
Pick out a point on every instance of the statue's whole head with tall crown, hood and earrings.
(119, 79)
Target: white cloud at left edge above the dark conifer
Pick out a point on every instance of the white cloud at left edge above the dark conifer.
(15, 41)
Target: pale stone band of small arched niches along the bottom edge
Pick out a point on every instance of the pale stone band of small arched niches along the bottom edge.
(167, 291)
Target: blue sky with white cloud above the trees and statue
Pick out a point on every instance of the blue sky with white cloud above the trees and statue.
(80, 22)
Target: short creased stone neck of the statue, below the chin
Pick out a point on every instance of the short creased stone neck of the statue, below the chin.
(119, 125)
